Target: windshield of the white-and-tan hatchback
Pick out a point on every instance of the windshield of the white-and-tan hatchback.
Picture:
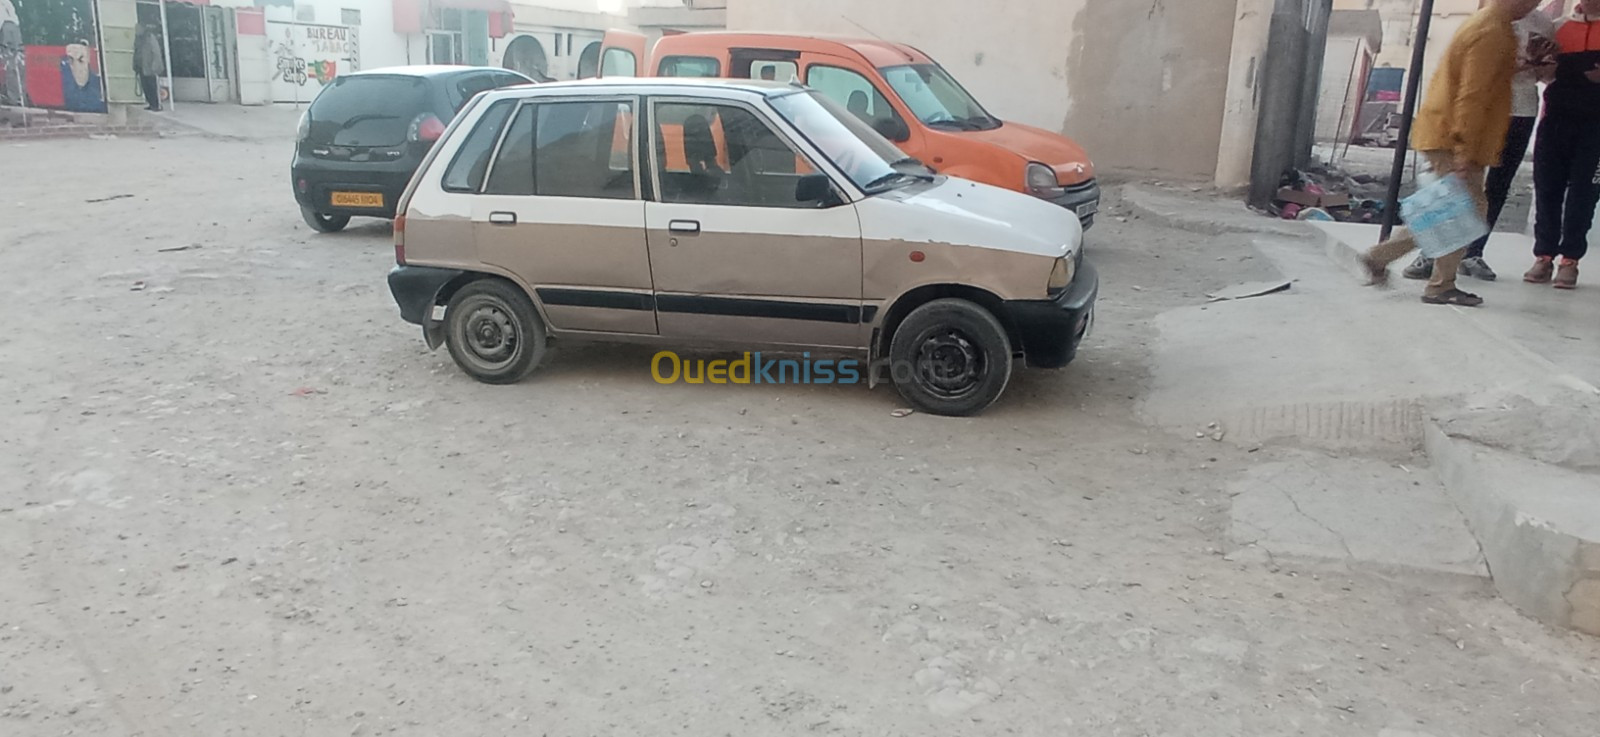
(866, 157)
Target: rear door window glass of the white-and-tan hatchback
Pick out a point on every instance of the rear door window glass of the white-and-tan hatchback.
(567, 149)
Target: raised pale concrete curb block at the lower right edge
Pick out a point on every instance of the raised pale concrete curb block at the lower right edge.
(1538, 527)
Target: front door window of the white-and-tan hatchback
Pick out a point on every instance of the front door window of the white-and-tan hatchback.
(714, 154)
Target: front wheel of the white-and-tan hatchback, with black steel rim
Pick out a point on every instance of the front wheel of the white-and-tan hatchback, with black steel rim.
(951, 357)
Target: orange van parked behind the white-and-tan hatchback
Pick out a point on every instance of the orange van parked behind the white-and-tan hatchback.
(898, 90)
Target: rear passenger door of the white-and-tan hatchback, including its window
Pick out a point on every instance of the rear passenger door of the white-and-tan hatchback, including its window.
(561, 210)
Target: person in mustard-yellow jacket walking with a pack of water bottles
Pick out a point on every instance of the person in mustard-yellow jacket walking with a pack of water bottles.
(1462, 130)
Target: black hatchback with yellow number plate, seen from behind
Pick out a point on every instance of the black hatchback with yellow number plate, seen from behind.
(367, 133)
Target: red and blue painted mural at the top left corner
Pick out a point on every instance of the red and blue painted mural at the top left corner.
(49, 57)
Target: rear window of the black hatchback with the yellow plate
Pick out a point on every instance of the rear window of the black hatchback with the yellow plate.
(369, 111)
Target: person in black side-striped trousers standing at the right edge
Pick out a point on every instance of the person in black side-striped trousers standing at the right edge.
(1567, 156)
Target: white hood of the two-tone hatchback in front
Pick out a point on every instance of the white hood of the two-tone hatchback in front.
(966, 213)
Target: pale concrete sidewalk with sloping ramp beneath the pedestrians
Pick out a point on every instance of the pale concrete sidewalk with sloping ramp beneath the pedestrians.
(1500, 402)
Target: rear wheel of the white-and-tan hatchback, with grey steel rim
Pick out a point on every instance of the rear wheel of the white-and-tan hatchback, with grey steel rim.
(494, 332)
